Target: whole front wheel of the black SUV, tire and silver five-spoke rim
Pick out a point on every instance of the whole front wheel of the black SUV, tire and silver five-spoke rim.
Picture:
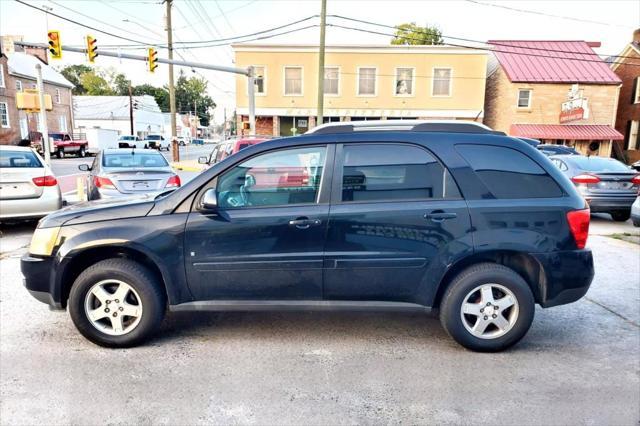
(144, 299)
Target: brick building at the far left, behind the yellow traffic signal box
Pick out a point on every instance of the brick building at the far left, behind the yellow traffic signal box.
(17, 73)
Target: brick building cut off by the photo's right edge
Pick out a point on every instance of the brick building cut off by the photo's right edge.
(627, 68)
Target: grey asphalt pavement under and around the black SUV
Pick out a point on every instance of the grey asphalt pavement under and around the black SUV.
(579, 364)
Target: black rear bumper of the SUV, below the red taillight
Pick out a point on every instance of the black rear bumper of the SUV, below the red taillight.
(567, 276)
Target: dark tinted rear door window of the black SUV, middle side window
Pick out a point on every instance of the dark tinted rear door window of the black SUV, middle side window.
(393, 172)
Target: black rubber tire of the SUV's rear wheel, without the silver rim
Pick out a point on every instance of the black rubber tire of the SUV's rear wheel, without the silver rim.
(465, 283)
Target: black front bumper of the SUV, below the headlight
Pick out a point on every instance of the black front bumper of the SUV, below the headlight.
(38, 280)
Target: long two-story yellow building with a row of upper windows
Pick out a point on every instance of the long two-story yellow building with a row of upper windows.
(361, 82)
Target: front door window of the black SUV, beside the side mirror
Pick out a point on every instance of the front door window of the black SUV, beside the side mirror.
(288, 176)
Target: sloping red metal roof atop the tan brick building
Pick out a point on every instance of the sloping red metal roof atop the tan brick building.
(552, 62)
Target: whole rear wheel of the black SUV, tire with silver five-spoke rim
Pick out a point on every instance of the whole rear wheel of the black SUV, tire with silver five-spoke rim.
(516, 318)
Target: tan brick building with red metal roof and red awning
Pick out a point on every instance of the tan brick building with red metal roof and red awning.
(560, 92)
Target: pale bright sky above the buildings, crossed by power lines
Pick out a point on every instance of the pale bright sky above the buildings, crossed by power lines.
(609, 21)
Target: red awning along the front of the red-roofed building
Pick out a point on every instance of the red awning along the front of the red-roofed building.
(579, 132)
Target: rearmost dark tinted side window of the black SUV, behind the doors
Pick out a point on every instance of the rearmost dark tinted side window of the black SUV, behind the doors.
(508, 173)
